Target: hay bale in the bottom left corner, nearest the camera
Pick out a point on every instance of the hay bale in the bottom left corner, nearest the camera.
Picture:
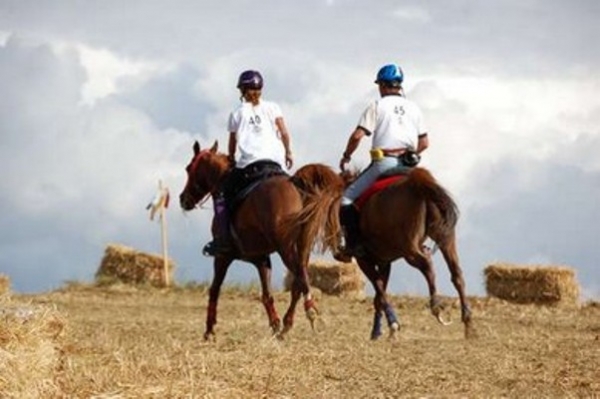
(31, 352)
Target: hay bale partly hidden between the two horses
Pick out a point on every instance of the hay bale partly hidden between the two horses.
(333, 278)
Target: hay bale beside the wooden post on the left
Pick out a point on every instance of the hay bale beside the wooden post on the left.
(126, 265)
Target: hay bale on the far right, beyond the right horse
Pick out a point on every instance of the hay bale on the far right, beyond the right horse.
(546, 285)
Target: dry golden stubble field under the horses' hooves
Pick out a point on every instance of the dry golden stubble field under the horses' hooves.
(127, 342)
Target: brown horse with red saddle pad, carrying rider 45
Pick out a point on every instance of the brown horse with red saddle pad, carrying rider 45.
(395, 223)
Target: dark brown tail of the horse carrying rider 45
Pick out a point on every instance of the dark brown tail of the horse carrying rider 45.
(442, 211)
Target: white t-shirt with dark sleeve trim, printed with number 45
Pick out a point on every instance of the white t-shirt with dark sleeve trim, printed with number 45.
(394, 122)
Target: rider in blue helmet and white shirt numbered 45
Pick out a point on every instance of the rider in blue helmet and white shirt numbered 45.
(398, 133)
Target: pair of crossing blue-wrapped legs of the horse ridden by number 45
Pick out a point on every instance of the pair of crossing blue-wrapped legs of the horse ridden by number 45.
(379, 276)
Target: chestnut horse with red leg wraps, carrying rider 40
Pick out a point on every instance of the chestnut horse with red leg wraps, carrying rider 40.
(260, 228)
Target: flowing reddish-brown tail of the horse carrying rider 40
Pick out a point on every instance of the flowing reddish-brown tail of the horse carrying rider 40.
(318, 221)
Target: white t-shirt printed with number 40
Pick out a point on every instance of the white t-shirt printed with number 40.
(256, 133)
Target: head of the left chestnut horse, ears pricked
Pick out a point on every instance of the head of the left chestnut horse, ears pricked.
(204, 172)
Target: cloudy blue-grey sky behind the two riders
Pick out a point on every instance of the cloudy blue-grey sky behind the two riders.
(101, 99)
